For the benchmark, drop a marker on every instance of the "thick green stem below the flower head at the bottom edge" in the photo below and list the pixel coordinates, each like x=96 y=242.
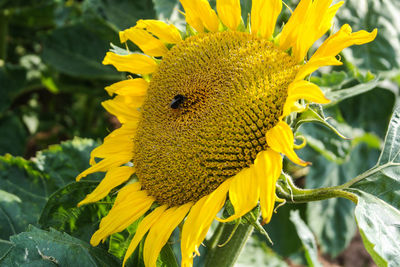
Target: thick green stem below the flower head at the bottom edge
x=227 y=255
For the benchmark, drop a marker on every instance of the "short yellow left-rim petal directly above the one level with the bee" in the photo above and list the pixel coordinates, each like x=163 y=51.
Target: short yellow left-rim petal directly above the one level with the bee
x=130 y=87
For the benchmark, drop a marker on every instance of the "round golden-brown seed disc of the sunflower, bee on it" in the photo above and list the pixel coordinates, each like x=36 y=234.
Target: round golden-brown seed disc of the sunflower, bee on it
x=207 y=110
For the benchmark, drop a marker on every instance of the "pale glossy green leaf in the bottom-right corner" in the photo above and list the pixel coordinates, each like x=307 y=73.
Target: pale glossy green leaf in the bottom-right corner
x=379 y=225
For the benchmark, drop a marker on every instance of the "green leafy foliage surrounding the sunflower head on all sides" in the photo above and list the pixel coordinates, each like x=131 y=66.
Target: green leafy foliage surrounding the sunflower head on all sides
x=51 y=86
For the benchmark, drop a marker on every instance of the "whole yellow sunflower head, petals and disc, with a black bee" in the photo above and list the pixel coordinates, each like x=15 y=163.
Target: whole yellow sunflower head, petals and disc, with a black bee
x=205 y=120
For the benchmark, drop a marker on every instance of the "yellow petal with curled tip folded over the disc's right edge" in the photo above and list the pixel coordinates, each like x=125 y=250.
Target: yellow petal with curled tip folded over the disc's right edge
x=280 y=139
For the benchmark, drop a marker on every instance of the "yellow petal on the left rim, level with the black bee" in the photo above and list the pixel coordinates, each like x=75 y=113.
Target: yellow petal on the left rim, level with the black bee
x=121 y=110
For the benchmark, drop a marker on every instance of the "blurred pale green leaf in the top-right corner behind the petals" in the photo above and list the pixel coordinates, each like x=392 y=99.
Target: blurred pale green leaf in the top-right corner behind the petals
x=383 y=52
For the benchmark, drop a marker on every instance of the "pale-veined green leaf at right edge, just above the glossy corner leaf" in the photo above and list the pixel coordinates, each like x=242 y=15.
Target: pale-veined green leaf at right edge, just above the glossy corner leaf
x=383 y=180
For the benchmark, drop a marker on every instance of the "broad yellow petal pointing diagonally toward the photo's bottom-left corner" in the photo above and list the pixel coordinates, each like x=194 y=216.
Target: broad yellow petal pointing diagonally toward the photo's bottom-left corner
x=129 y=206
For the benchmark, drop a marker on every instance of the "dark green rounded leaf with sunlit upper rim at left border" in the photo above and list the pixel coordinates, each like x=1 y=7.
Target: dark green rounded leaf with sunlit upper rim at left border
x=23 y=194
